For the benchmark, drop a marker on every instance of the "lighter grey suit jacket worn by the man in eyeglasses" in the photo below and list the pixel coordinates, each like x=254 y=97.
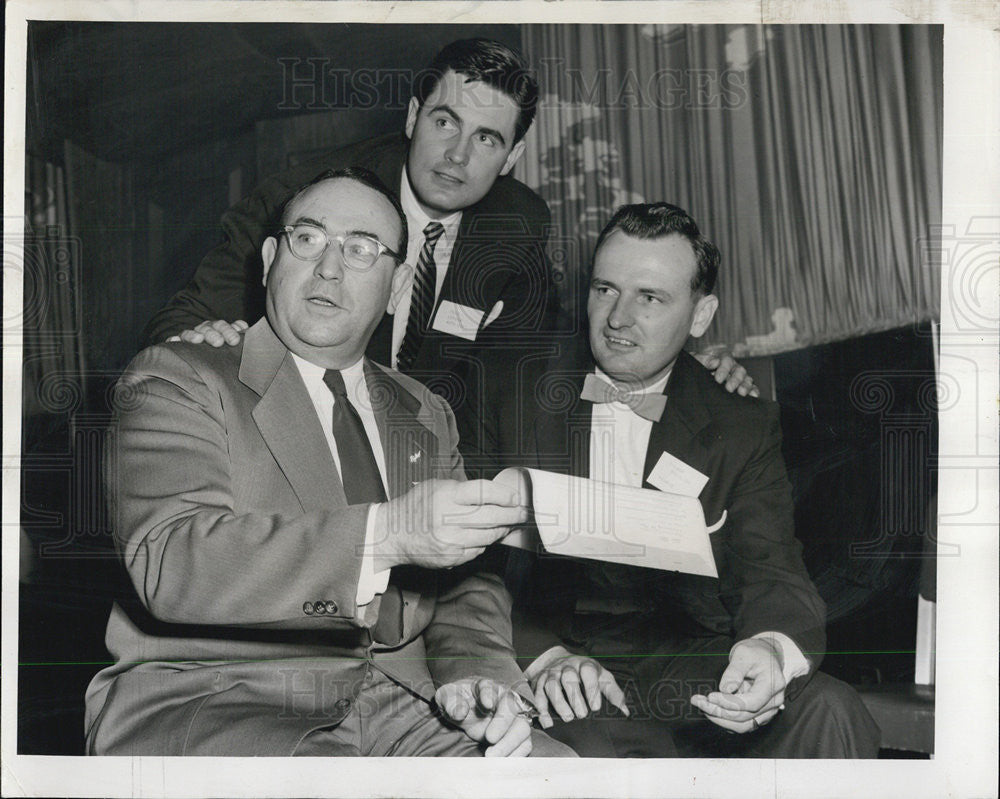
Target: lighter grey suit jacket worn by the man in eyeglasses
x=243 y=632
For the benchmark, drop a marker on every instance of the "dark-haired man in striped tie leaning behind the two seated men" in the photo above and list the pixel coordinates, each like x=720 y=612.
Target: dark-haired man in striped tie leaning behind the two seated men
x=482 y=287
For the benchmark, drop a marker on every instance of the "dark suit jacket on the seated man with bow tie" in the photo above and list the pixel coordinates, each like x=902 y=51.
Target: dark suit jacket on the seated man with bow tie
x=762 y=585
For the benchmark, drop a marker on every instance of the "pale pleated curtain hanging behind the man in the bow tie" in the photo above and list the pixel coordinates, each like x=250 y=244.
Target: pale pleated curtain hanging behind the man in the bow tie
x=810 y=154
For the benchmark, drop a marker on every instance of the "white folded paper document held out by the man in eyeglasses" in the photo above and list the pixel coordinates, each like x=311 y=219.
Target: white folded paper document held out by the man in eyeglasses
x=620 y=524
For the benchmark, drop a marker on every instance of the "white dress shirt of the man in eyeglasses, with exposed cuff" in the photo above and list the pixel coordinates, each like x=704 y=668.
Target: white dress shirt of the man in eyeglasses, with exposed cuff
x=370 y=583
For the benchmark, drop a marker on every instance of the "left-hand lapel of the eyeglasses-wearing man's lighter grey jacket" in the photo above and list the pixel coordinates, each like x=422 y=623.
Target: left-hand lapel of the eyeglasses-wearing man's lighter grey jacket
x=299 y=449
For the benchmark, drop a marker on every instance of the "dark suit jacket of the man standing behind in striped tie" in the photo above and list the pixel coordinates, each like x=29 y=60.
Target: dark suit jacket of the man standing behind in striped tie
x=499 y=255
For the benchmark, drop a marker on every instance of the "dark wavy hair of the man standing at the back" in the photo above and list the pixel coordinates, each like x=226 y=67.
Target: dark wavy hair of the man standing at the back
x=489 y=62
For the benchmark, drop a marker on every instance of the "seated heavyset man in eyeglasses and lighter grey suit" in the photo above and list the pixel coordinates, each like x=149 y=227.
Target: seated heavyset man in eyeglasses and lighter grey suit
x=286 y=510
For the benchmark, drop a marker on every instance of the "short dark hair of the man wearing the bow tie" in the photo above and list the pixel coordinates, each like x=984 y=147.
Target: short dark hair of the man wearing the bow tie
x=658 y=220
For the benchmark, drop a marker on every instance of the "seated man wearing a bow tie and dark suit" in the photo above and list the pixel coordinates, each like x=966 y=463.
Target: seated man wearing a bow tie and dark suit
x=673 y=656
